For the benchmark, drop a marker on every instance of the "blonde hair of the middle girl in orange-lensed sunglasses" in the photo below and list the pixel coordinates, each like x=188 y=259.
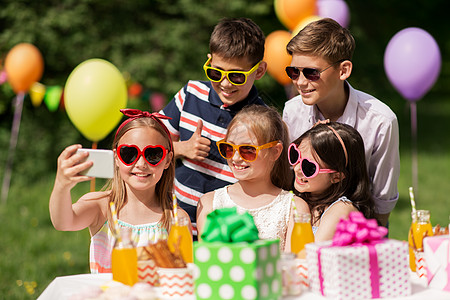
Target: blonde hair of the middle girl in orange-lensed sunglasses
x=266 y=124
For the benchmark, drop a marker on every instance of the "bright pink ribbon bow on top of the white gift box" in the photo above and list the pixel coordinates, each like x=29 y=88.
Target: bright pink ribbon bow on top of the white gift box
x=357 y=230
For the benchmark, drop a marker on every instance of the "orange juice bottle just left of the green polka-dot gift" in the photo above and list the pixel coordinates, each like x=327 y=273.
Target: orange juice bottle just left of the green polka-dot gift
x=180 y=237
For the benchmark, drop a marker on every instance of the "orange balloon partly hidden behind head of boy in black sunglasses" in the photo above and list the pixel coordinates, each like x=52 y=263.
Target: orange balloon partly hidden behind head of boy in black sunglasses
x=276 y=55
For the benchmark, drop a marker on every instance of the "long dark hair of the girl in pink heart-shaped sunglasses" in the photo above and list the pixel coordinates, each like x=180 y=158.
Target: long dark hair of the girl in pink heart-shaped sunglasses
x=327 y=148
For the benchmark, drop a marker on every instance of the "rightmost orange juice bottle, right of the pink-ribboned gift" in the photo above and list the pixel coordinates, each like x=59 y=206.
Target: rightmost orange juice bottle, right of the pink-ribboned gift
x=419 y=229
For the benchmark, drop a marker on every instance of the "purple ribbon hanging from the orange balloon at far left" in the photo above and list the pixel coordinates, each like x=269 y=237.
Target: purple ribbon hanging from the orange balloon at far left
x=12 y=144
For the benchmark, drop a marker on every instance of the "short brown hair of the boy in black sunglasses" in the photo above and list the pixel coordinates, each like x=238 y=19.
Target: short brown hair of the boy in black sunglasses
x=324 y=38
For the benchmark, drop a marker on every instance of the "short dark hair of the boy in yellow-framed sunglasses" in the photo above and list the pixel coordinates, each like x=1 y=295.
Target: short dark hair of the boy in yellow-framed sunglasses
x=238 y=38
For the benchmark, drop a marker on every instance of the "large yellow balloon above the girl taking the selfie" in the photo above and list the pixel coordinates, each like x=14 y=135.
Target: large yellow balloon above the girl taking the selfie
x=93 y=96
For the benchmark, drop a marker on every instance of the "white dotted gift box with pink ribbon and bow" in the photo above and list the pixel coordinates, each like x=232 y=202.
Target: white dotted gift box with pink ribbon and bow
x=359 y=263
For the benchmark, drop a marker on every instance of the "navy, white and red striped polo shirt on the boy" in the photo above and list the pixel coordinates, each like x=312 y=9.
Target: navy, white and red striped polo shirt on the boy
x=197 y=100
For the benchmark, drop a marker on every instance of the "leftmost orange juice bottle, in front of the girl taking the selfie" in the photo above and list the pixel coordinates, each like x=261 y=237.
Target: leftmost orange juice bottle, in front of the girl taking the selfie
x=124 y=259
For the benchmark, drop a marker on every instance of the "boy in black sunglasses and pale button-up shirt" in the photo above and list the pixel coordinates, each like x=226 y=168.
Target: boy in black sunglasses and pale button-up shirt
x=321 y=64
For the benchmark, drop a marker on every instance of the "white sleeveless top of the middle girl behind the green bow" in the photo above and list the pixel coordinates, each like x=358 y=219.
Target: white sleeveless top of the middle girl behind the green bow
x=271 y=220
